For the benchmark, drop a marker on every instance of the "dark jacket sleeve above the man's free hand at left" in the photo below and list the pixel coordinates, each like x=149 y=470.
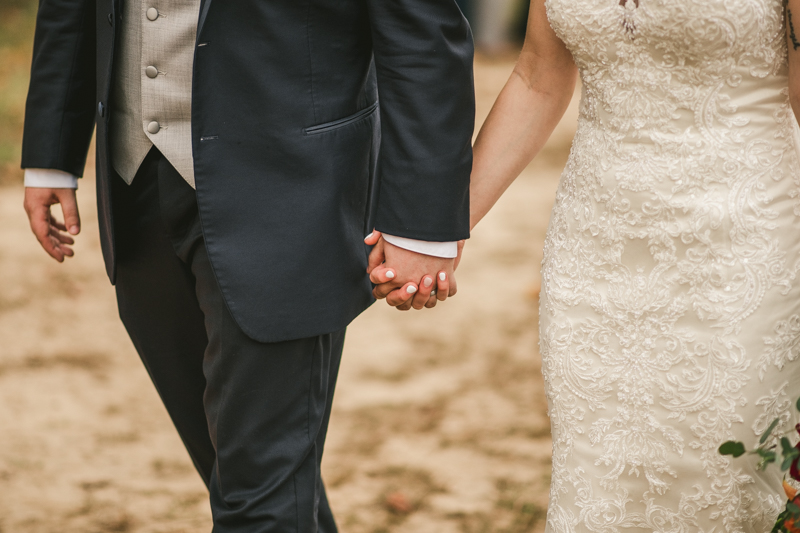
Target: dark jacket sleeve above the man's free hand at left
x=60 y=110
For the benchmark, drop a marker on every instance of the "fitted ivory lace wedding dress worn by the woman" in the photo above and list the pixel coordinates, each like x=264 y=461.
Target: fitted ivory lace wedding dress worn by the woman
x=670 y=305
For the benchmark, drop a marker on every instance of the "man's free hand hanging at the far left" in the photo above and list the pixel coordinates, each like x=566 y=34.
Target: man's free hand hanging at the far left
x=54 y=236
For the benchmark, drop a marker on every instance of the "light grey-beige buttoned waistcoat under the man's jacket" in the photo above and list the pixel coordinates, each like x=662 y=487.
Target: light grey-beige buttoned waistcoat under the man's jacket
x=152 y=103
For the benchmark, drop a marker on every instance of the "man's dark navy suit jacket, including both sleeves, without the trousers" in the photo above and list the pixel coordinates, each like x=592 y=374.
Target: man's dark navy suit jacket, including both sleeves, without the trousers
x=312 y=121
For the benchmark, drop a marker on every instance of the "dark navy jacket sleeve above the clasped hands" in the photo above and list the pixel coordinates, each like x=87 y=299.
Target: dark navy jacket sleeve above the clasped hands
x=423 y=57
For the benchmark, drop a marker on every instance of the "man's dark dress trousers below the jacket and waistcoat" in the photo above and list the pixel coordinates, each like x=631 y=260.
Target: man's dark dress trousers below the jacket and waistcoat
x=252 y=415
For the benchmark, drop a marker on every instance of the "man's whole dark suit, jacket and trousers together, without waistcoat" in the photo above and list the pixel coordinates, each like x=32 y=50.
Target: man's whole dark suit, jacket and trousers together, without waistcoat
x=313 y=120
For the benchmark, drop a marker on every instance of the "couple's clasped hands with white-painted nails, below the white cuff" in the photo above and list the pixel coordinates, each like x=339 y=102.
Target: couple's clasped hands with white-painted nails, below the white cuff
x=409 y=279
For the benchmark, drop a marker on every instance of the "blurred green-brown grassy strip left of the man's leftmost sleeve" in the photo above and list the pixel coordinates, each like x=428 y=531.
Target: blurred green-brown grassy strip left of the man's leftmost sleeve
x=17 y=21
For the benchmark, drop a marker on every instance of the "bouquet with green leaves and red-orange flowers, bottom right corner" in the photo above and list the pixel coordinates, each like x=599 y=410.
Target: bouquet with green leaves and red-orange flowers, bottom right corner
x=789 y=520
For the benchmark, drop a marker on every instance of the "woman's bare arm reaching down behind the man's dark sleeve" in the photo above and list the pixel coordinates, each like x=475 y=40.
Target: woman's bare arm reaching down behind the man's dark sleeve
x=526 y=112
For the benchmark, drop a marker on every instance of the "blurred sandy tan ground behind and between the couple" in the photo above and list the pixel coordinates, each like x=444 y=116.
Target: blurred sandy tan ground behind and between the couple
x=439 y=423
